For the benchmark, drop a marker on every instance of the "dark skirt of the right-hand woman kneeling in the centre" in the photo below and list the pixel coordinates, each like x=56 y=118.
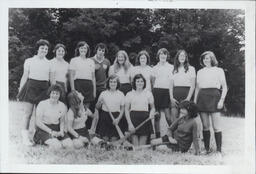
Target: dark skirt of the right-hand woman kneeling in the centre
x=138 y=117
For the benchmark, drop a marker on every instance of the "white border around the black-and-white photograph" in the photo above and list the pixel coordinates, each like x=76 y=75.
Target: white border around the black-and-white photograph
x=247 y=167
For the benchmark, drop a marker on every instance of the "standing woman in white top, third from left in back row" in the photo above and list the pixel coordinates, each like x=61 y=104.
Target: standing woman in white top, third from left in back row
x=82 y=73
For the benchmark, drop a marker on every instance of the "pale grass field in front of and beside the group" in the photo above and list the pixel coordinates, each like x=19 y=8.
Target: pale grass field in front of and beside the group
x=233 y=149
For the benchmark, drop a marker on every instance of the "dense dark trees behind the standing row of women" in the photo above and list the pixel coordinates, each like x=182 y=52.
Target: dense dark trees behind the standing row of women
x=198 y=30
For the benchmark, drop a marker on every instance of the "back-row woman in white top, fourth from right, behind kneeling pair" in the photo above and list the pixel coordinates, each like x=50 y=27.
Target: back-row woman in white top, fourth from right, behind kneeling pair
x=143 y=67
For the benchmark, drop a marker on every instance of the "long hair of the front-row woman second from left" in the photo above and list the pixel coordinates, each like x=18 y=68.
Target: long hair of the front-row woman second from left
x=74 y=102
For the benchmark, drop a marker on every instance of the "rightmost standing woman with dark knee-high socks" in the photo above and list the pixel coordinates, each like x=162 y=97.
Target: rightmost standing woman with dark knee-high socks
x=210 y=93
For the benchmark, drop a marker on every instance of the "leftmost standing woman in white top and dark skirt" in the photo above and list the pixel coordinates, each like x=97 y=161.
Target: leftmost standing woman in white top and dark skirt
x=34 y=83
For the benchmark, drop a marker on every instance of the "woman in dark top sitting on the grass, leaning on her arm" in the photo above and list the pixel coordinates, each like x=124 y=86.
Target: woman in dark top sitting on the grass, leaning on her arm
x=183 y=131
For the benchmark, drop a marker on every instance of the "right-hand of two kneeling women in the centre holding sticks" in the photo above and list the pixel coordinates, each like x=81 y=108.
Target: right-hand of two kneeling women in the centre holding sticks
x=137 y=104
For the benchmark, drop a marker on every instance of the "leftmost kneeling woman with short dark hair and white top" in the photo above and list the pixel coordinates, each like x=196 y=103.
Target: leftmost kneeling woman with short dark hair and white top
x=50 y=115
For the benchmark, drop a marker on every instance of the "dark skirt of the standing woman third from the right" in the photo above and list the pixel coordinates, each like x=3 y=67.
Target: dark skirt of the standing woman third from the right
x=161 y=98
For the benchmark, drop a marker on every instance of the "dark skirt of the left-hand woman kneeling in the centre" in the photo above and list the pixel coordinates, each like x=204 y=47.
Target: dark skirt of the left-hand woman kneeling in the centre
x=105 y=127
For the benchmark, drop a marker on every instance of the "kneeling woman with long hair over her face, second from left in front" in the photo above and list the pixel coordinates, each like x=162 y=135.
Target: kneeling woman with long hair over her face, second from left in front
x=76 y=118
